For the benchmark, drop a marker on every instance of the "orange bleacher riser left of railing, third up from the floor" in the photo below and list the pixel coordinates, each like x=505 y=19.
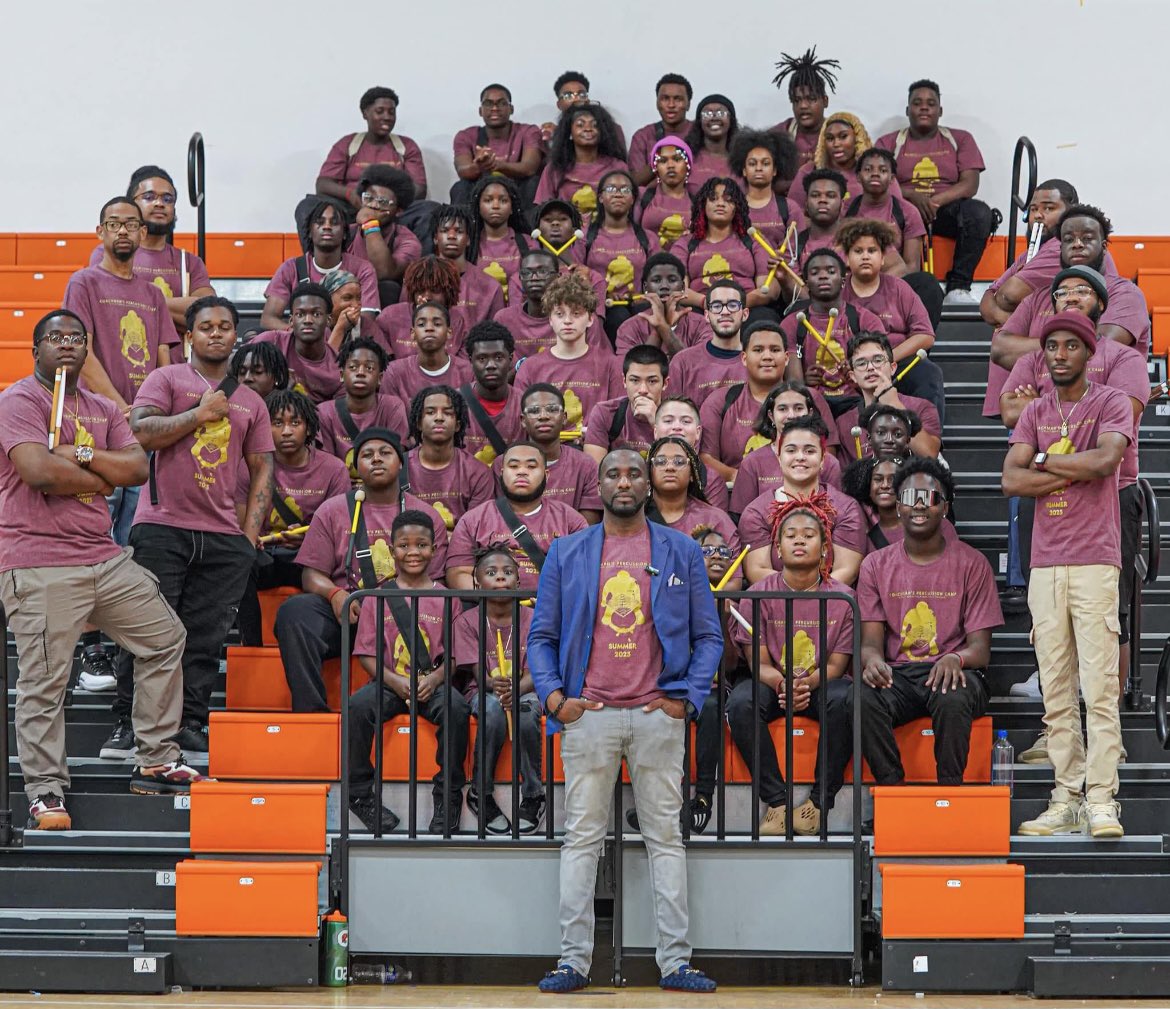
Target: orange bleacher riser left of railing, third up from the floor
x=276 y=746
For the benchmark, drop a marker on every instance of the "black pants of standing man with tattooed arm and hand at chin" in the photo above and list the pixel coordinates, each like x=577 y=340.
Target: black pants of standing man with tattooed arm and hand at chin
x=202 y=575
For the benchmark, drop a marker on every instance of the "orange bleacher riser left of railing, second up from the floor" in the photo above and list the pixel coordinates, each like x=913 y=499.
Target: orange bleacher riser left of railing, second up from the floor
x=258 y=818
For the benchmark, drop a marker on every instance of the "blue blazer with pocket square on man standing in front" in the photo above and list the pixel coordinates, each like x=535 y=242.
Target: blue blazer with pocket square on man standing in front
x=683 y=608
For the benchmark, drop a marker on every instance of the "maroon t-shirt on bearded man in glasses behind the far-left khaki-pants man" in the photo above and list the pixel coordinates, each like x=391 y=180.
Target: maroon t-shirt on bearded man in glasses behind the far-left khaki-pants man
x=128 y=321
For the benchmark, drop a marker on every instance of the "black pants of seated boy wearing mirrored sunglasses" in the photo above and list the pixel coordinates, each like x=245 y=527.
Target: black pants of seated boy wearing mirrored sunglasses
x=910 y=698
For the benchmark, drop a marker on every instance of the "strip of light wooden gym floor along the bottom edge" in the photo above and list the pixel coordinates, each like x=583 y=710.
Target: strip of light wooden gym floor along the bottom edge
x=418 y=997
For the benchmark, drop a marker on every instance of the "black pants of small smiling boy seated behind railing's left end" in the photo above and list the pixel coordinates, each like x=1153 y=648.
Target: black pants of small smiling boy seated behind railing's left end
x=364 y=724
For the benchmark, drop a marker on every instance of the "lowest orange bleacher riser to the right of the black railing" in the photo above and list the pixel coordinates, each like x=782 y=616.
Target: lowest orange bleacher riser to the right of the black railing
x=953 y=902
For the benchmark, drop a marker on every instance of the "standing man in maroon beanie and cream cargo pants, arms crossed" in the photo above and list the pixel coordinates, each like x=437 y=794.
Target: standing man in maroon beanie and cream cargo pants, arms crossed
x=1066 y=452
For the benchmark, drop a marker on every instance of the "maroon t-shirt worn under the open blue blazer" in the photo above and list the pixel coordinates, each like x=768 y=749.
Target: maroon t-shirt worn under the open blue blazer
x=625 y=660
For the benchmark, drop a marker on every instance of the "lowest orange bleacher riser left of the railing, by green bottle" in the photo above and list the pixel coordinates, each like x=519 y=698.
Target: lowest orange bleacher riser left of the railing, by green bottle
x=246 y=898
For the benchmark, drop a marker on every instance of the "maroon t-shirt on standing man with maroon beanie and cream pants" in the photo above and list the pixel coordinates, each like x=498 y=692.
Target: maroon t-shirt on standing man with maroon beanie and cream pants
x=1082 y=524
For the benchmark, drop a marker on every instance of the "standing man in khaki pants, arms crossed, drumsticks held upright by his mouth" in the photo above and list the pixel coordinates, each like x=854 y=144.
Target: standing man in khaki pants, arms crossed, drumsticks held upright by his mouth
x=60 y=569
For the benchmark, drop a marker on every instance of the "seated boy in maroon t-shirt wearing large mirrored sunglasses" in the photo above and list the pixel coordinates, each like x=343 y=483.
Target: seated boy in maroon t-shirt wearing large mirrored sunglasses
x=928 y=608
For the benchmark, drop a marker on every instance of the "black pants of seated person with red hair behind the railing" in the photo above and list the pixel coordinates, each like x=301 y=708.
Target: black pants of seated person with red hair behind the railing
x=836 y=730
